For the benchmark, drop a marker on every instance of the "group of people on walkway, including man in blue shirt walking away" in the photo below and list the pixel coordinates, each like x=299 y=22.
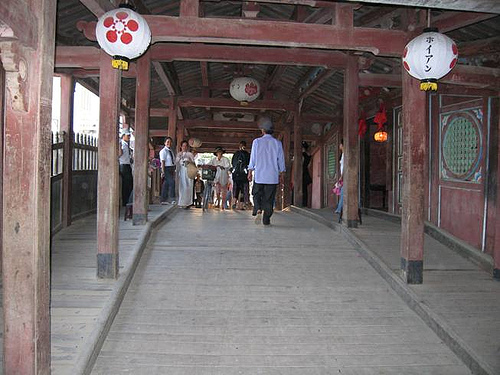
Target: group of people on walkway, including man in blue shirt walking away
x=264 y=166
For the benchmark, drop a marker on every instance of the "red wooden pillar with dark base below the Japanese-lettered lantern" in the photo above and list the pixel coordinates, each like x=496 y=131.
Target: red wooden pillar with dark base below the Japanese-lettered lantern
x=413 y=190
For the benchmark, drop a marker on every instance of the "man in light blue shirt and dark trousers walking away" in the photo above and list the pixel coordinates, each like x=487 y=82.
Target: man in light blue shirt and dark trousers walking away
x=268 y=162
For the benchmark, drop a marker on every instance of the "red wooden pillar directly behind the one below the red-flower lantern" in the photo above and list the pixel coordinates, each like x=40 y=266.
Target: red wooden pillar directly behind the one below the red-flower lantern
x=141 y=151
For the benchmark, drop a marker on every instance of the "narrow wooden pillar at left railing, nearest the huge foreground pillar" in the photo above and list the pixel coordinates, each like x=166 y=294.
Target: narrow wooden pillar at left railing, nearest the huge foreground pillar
x=67 y=105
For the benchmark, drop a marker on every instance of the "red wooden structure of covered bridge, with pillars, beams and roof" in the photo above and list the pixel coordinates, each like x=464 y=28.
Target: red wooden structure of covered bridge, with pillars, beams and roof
x=322 y=65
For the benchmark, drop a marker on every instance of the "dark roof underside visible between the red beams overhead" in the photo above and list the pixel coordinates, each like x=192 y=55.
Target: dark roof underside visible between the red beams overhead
x=316 y=89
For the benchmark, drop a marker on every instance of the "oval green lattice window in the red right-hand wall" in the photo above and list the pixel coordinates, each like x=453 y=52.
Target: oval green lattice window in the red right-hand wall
x=461 y=147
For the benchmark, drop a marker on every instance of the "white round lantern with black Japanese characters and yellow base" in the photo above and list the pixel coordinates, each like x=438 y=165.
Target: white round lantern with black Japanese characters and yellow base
x=429 y=57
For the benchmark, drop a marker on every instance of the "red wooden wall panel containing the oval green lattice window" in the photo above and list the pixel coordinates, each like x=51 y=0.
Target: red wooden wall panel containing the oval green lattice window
x=458 y=166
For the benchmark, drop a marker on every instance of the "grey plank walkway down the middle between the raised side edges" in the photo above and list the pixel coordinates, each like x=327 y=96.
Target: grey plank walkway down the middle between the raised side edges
x=216 y=294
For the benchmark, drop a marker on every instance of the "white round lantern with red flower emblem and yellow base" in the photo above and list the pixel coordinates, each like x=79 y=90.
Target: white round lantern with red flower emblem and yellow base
x=123 y=34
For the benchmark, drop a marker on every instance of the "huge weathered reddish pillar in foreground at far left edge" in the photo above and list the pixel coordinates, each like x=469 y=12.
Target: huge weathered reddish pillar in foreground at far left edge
x=26 y=186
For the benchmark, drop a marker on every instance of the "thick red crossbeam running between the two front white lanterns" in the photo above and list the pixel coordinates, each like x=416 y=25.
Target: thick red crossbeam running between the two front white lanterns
x=269 y=33
